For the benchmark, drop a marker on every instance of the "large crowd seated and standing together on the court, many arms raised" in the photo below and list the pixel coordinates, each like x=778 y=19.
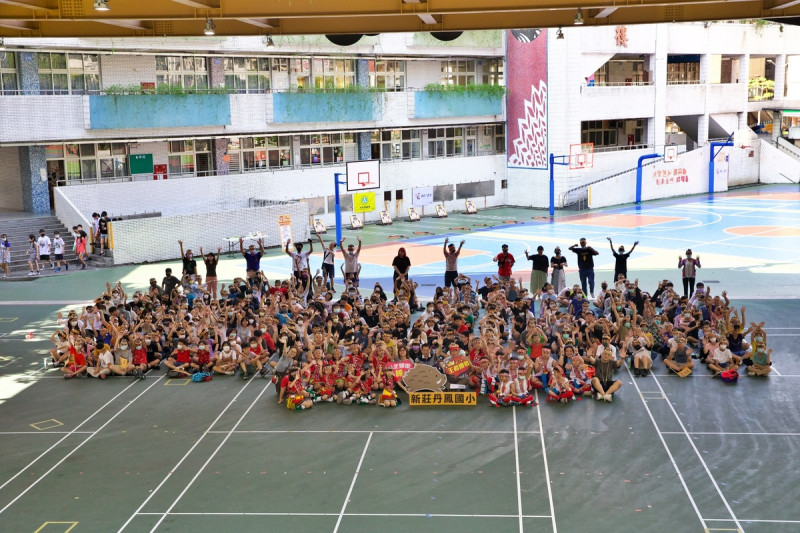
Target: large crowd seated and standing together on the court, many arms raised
x=352 y=347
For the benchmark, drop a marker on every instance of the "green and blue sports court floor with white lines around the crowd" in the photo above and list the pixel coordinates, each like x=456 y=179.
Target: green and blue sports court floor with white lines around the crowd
x=686 y=455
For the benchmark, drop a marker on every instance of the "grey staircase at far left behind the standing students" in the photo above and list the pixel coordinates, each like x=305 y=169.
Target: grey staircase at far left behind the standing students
x=18 y=229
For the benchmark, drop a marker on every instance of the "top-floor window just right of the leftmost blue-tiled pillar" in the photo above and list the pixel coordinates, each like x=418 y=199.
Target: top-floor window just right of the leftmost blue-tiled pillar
x=61 y=73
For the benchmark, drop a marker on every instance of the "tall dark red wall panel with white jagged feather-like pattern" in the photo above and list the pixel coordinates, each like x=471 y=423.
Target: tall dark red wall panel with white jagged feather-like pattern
x=526 y=104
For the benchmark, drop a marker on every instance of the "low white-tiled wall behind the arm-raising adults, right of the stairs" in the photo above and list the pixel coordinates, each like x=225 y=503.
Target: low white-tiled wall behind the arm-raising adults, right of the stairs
x=156 y=239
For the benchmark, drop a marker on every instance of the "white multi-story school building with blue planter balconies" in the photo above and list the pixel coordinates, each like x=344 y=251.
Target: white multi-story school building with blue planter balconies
x=276 y=122
